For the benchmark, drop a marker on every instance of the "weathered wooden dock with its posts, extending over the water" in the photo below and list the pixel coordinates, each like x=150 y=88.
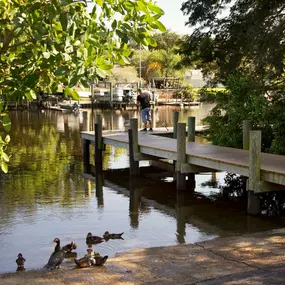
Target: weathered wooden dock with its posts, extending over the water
x=265 y=172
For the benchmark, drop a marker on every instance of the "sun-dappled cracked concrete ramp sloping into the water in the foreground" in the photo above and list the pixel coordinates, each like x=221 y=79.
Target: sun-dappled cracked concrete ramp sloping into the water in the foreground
x=250 y=259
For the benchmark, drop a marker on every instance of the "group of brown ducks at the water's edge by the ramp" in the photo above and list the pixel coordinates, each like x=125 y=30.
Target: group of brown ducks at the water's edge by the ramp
x=91 y=258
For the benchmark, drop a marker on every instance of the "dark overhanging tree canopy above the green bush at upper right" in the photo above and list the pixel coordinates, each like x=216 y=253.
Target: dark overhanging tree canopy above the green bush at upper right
x=241 y=35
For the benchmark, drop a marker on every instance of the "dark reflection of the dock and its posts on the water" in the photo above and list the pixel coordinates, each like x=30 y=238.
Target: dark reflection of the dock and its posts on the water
x=206 y=215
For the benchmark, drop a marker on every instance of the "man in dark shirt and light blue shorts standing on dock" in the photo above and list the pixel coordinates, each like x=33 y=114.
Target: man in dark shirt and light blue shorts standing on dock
x=143 y=100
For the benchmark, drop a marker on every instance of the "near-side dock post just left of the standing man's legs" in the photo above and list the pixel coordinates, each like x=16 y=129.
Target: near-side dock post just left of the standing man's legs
x=133 y=147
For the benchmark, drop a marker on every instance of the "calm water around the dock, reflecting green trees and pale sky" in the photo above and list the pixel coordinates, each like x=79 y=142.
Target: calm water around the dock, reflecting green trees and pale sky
x=45 y=195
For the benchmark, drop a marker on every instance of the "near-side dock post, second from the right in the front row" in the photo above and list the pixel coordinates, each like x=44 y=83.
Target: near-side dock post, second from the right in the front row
x=181 y=156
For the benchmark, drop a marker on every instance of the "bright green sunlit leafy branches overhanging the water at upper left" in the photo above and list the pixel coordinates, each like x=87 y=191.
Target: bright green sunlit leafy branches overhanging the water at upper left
x=45 y=43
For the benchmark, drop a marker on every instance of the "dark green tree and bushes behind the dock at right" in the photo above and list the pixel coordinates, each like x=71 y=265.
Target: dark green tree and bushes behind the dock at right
x=244 y=50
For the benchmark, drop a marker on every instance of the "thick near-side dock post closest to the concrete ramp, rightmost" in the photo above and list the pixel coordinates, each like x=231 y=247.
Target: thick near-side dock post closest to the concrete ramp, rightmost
x=253 y=202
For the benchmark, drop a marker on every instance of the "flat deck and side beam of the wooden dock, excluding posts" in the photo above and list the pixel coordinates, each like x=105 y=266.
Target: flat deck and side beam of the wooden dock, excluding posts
x=212 y=157
